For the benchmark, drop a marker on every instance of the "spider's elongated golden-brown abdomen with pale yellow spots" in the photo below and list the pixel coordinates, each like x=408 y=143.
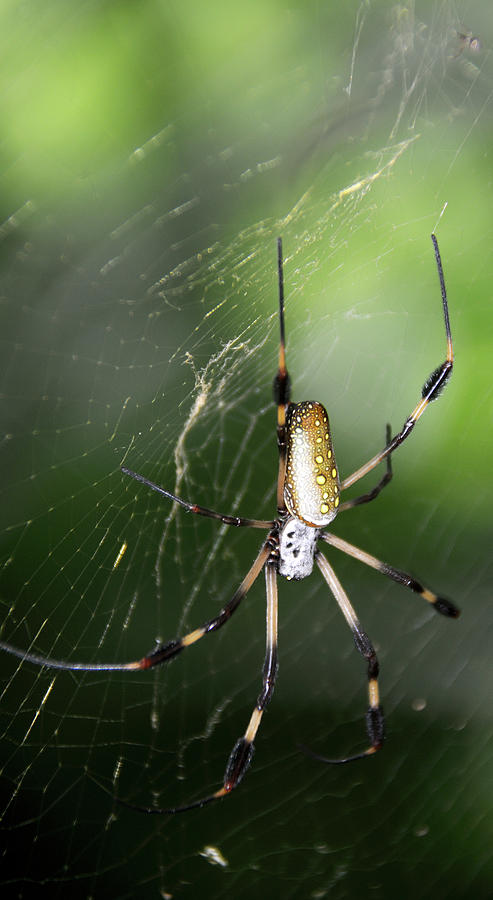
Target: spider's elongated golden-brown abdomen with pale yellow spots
x=311 y=486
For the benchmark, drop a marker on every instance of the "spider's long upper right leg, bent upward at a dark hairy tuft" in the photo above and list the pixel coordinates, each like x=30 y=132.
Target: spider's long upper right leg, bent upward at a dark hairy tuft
x=431 y=389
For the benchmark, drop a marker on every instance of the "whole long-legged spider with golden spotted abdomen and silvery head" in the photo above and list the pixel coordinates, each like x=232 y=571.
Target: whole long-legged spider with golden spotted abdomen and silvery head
x=308 y=500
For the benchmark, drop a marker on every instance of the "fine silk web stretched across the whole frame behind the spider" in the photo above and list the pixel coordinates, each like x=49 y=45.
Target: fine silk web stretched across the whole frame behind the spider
x=151 y=156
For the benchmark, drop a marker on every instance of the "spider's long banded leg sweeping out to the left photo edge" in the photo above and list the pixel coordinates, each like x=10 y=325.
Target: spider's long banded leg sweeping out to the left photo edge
x=164 y=652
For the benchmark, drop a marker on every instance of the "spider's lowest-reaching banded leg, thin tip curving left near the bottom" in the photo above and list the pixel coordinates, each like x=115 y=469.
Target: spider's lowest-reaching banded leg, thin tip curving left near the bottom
x=242 y=752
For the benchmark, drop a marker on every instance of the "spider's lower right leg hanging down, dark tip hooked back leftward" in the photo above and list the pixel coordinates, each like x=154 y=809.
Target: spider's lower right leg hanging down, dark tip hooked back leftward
x=374 y=715
